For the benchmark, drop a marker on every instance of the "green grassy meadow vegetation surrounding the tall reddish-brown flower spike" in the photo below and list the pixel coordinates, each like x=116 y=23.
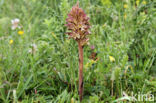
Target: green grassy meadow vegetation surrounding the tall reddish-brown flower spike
x=50 y=73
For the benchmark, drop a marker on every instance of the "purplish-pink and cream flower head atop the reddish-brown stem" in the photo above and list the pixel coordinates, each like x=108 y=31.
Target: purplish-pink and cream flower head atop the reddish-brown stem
x=78 y=24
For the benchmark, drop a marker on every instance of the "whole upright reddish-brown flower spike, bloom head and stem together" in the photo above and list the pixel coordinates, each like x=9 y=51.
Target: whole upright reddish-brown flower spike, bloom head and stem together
x=78 y=26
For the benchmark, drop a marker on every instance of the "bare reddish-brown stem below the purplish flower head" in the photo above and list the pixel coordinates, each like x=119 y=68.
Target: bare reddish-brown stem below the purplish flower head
x=80 y=70
